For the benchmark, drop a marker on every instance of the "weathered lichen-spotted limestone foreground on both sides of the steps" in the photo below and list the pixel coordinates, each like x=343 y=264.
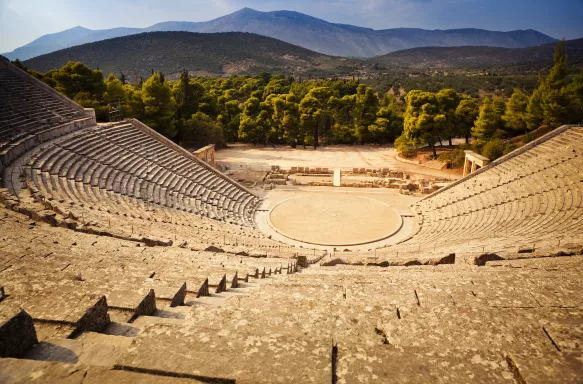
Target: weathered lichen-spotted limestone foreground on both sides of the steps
x=395 y=321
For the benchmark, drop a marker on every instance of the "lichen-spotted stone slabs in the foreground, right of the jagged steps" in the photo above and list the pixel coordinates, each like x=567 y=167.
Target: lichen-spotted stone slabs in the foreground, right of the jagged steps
x=422 y=317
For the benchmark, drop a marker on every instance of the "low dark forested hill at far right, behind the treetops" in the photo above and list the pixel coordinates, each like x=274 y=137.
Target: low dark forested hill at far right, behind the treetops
x=479 y=57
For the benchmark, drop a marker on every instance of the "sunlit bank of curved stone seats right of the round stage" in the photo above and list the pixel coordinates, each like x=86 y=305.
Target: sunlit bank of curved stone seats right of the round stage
x=543 y=198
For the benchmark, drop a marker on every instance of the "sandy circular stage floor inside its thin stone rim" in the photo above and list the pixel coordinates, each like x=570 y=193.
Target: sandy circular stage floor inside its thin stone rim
x=334 y=219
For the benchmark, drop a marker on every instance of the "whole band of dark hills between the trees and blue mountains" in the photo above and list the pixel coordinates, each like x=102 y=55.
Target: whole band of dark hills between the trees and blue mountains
x=236 y=53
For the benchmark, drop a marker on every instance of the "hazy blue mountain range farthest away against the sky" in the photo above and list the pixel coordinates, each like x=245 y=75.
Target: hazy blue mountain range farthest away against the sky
x=302 y=30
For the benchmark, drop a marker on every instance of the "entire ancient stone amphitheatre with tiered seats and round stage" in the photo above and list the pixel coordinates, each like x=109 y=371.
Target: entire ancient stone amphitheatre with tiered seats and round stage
x=125 y=258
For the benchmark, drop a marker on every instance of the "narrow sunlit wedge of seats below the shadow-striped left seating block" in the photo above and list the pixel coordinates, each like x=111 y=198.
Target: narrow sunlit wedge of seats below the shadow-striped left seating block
x=110 y=212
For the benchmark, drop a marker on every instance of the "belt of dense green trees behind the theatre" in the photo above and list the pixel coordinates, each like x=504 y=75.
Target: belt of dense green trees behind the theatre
x=267 y=109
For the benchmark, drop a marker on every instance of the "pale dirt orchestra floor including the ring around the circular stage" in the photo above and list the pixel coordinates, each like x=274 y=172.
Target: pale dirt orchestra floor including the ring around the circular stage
x=337 y=215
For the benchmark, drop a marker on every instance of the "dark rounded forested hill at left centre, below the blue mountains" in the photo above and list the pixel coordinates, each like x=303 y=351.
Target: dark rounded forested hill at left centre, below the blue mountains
x=199 y=53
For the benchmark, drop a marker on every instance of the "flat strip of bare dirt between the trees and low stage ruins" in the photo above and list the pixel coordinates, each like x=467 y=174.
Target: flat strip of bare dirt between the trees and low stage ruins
x=240 y=156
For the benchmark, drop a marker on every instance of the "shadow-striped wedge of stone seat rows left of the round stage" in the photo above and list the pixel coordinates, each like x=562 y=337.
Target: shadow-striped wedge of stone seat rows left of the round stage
x=94 y=156
